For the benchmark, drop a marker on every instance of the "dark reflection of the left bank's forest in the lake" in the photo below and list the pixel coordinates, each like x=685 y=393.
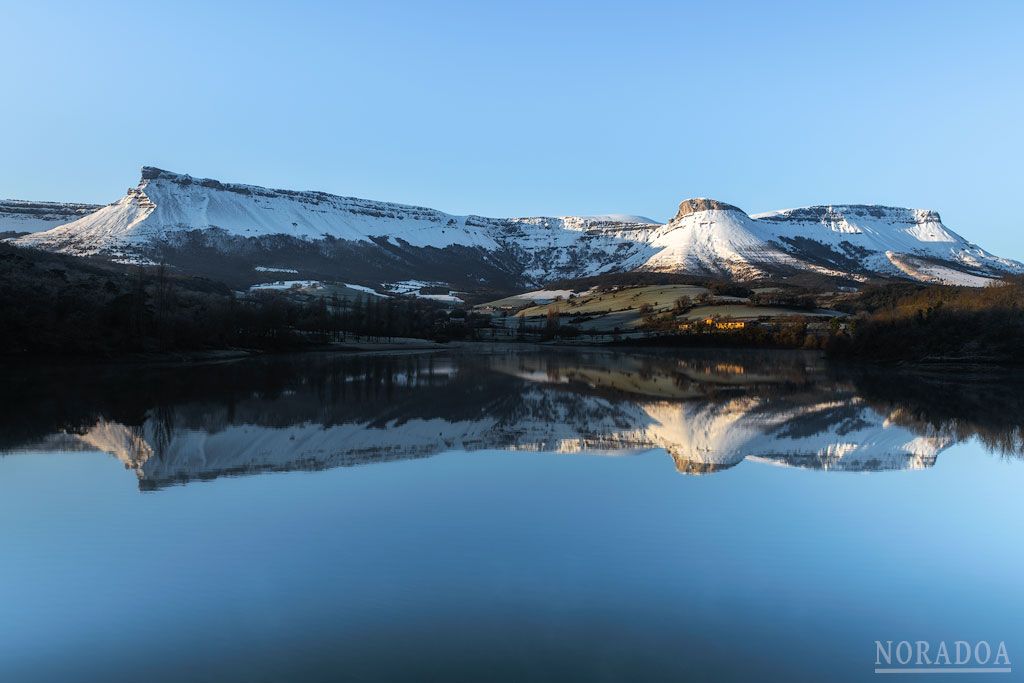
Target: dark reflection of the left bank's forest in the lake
x=278 y=392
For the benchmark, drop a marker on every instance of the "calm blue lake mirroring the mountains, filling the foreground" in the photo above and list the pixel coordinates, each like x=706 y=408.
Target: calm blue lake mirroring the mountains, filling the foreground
x=504 y=516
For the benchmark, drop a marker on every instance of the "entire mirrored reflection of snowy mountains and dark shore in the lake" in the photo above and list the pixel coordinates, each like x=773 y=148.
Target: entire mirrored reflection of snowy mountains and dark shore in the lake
x=709 y=411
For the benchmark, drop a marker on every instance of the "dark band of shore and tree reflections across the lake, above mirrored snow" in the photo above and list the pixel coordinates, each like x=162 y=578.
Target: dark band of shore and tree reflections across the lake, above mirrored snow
x=332 y=390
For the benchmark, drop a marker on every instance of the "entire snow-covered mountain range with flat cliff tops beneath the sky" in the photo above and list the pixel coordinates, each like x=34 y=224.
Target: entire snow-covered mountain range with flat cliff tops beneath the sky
x=230 y=231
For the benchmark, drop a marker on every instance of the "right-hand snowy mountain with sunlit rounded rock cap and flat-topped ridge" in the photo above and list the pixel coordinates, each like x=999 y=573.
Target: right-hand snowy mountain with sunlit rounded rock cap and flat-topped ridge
x=711 y=237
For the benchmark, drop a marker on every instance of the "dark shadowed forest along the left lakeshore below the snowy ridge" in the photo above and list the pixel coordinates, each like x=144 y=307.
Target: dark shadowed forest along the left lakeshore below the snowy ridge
x=56 y=305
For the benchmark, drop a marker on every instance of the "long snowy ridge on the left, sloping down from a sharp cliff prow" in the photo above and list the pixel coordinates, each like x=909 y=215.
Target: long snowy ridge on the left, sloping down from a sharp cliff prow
x=178 y=219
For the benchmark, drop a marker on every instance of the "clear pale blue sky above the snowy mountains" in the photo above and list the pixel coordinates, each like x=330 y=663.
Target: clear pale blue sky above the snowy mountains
x=523 y=108
